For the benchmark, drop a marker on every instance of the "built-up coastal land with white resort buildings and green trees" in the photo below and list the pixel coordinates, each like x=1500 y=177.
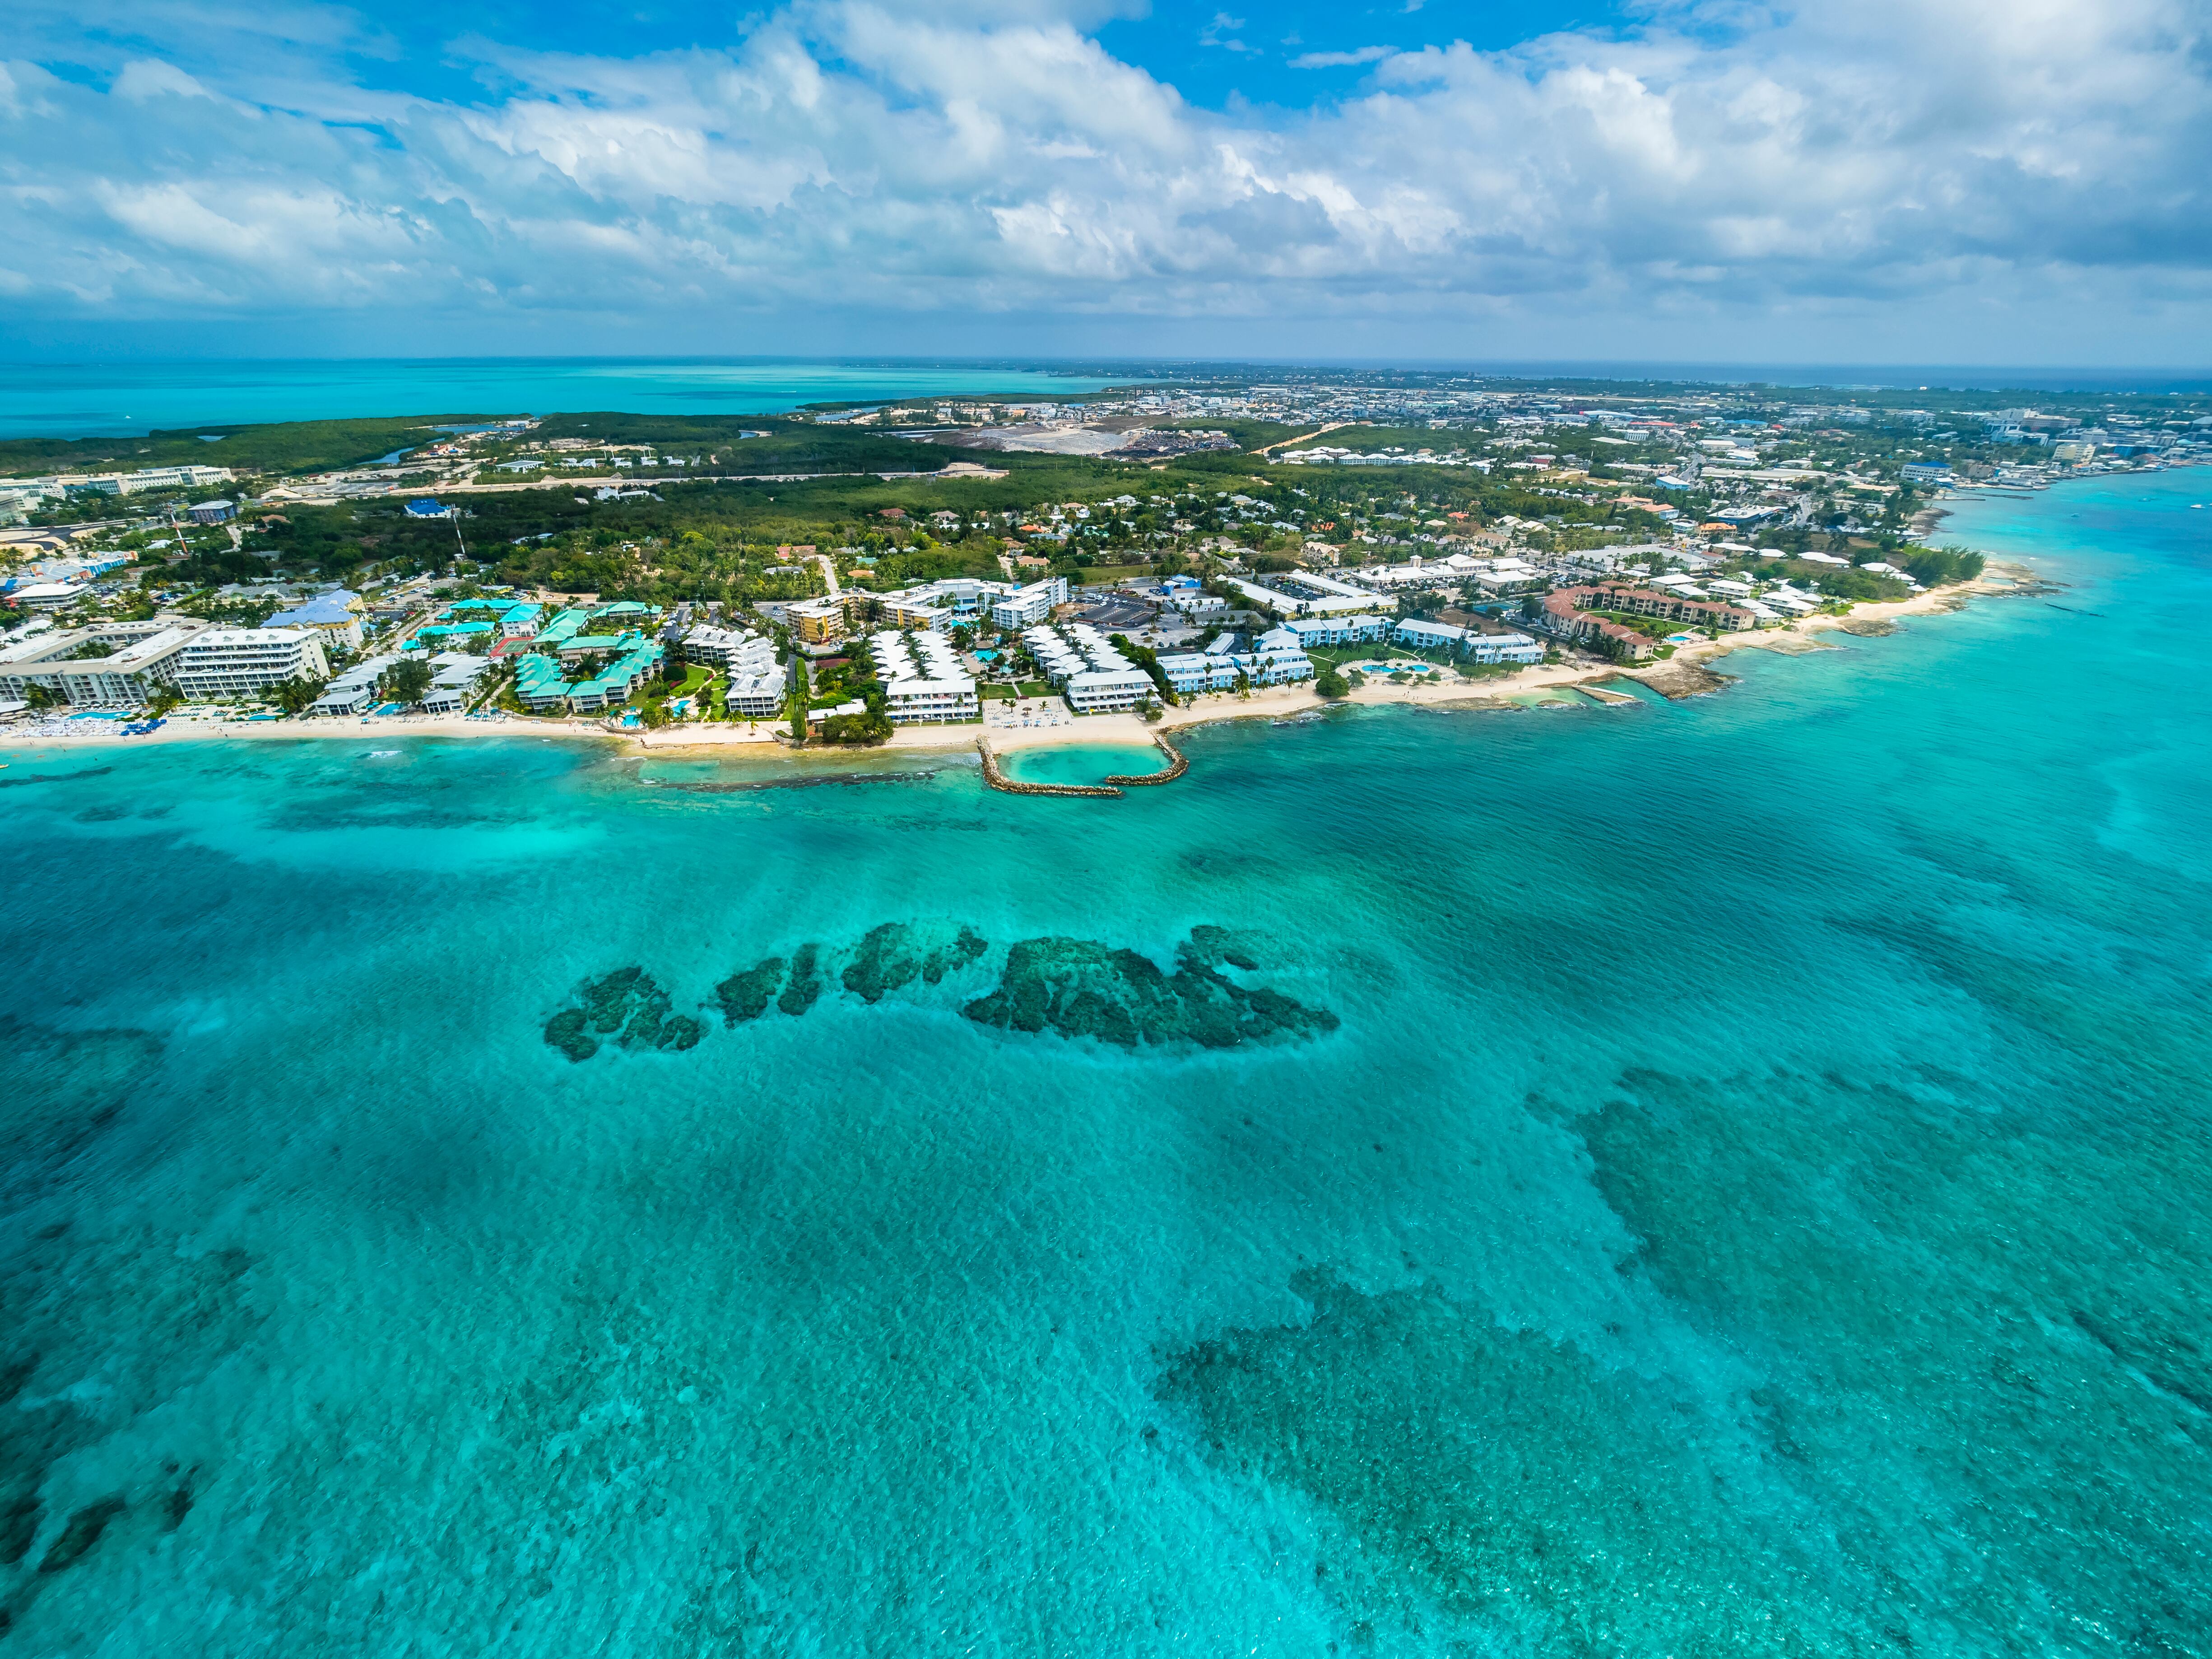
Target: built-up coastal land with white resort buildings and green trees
x=1151 y=556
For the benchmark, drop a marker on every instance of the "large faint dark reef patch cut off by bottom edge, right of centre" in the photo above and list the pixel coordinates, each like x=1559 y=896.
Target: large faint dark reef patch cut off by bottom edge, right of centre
x=1507 y=1485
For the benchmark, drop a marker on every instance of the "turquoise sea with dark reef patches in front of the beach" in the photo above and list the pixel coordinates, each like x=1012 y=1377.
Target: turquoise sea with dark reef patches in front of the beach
x=1673 y=1180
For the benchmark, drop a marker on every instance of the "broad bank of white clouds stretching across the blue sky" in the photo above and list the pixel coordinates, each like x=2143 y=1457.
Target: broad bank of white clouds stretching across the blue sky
x=1950 y=156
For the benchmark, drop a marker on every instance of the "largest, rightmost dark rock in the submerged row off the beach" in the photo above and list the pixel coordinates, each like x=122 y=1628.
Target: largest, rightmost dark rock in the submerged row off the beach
x=1089 y=990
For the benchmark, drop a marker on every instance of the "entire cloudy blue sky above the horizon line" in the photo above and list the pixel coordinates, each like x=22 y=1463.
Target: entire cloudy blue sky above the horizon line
x=2012 y=182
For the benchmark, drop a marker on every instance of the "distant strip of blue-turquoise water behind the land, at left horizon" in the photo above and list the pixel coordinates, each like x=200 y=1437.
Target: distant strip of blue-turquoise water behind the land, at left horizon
x=121 y=399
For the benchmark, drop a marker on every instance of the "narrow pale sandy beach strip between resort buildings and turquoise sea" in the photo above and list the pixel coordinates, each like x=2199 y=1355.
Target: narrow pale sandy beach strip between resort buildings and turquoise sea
x=1054 y=727
